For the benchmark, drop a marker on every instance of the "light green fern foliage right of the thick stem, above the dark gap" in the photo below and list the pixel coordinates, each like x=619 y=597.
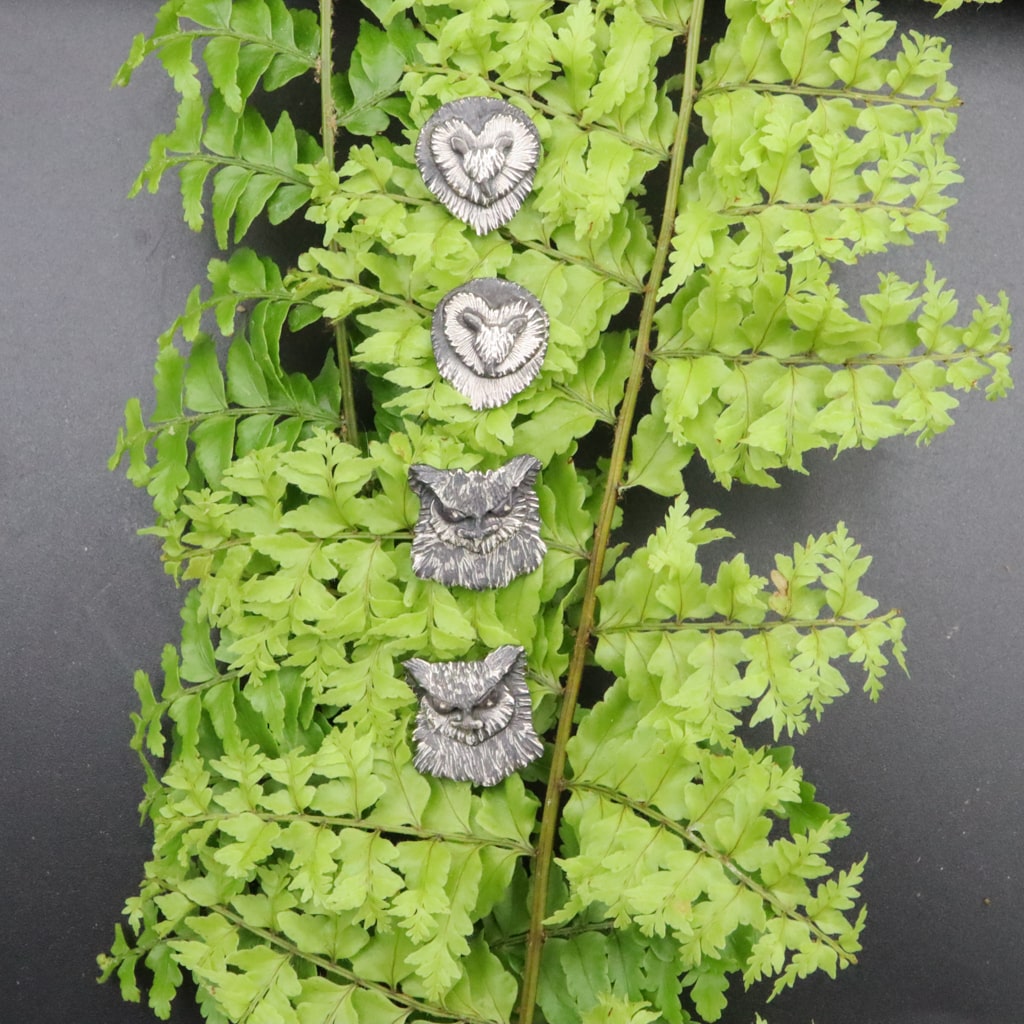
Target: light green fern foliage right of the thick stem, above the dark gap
x=760 y=358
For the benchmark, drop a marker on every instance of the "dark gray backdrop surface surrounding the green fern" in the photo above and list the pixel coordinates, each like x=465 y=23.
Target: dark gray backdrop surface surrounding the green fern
x=933 y=777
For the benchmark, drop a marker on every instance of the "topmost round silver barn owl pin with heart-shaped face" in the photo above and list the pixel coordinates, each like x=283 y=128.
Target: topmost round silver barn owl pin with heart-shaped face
x=479 y=157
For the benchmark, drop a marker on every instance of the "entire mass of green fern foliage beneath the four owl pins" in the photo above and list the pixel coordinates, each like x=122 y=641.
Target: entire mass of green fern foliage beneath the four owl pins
x=303 y=871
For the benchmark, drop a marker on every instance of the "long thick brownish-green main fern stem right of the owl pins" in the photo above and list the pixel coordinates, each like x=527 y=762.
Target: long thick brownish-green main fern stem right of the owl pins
x=624 y=430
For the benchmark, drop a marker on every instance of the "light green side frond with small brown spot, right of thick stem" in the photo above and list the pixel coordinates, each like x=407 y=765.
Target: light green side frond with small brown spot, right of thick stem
x=713 y=650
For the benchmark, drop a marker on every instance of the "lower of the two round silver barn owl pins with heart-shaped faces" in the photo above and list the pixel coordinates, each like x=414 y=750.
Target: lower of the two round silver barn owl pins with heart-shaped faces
x=490 y=337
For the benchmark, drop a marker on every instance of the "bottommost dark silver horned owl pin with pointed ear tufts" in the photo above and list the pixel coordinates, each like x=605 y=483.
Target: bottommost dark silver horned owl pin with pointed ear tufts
x=476 y=722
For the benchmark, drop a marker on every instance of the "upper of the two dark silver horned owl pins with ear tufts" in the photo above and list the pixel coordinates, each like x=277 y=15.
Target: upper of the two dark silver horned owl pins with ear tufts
x=478 y=530
